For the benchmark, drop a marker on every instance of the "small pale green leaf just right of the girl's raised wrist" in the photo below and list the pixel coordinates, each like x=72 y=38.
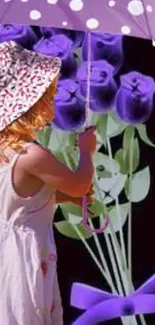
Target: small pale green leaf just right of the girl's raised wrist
x=109 y=164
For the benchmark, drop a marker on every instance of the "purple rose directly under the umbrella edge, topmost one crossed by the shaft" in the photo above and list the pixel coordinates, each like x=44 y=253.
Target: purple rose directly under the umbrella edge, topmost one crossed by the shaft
x=107 y=47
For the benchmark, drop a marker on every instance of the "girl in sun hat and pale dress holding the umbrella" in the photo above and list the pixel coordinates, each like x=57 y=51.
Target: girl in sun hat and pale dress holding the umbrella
x=32 y=180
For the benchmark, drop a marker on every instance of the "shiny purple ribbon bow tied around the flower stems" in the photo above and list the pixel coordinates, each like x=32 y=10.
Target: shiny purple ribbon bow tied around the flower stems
x=101 y=306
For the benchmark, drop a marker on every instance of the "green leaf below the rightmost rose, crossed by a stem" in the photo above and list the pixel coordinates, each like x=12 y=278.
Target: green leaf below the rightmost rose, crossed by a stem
x=122 y=156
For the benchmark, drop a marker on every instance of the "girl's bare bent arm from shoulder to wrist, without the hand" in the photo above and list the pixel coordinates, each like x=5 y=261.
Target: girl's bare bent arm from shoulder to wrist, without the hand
x=44 y=165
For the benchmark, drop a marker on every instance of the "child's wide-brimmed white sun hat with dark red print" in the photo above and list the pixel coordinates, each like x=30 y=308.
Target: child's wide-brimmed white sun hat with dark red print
x=24 y=78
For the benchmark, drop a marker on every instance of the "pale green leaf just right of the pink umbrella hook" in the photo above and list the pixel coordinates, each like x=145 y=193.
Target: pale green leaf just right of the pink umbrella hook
x=123 y=209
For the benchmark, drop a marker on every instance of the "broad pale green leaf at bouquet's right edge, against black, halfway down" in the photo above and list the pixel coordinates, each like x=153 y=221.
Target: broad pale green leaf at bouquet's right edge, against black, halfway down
x=140 y=185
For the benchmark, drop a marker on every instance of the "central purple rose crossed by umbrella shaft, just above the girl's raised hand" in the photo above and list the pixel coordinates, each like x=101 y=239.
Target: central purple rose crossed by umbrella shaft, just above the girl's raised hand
x=103 y=87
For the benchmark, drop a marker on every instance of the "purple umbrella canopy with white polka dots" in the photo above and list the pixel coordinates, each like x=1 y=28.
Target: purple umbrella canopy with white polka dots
x=129 y=17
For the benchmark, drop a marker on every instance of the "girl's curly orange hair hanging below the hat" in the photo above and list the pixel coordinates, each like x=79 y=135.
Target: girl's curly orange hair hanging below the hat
x=24 y=129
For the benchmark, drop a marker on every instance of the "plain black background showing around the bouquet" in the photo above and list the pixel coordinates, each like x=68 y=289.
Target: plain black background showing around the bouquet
x=74 y=263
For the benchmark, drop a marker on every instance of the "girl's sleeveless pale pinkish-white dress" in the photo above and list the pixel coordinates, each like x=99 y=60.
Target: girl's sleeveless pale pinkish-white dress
x=29 y=291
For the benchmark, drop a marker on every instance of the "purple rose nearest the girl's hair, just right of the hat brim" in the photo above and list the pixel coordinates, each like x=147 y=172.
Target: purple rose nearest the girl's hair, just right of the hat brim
x=70 y=107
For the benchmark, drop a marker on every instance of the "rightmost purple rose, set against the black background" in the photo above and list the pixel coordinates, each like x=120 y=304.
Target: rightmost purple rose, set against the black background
x=134 y=100
